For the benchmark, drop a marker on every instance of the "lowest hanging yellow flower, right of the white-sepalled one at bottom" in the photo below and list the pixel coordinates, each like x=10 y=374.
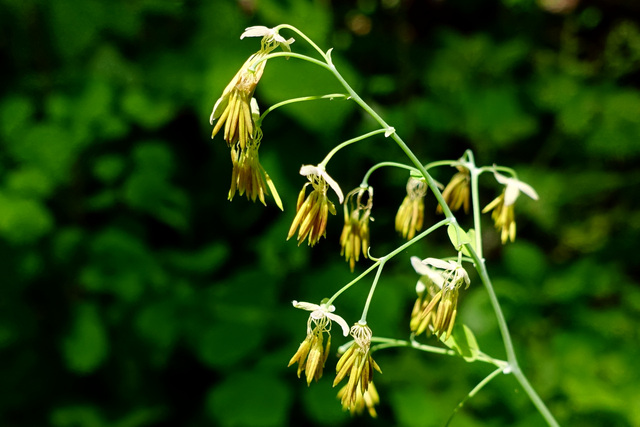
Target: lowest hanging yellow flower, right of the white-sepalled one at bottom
x=358 y=364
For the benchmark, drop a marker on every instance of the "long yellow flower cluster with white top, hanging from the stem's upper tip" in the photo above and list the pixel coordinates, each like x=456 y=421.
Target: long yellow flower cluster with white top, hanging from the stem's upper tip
x=237 y=111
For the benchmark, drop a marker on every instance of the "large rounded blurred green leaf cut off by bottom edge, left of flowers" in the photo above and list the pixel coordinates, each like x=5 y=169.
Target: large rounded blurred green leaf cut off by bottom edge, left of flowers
x=249 y=399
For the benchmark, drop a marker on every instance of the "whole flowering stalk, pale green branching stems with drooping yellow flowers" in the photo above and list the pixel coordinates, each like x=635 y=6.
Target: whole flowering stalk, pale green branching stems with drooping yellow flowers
x=436 y=312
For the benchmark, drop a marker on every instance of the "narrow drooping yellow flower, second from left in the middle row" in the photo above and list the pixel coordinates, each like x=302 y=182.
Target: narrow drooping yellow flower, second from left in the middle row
x=355 y=233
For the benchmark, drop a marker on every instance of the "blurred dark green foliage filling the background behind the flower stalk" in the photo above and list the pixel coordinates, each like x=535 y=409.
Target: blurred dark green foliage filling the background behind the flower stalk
x=135 y=295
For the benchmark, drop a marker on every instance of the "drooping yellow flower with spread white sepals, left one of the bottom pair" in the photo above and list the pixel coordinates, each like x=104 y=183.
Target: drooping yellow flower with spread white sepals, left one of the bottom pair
x=312 y=355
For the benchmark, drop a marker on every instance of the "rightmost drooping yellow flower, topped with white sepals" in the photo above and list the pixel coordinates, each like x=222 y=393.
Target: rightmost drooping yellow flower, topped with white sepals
x=502 y=207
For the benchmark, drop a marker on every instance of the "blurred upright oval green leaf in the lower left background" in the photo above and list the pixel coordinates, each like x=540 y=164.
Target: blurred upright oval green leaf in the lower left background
x=86 y=345
